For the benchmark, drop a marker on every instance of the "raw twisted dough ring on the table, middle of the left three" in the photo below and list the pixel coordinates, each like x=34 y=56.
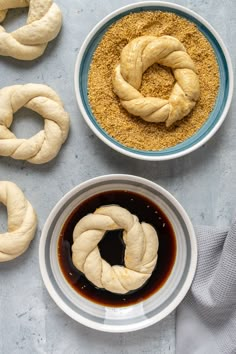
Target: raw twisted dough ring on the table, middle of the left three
x=45 y=145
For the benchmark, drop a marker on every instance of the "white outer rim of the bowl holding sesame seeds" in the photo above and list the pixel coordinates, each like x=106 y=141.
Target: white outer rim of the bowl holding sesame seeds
x=144 y=156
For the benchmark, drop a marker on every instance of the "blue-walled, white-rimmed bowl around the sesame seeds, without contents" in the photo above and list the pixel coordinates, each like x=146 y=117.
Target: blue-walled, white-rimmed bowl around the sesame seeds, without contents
x=223 y=100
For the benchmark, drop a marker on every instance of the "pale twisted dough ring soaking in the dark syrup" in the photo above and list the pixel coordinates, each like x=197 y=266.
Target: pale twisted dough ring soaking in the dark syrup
x=140 y=253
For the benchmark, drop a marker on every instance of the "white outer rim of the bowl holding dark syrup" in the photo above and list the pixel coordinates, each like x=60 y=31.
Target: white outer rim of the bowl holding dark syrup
x=149 y=321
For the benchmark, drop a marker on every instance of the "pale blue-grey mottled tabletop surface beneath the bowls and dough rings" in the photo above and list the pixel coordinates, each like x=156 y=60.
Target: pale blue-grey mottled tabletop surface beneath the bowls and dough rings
x=204 y=182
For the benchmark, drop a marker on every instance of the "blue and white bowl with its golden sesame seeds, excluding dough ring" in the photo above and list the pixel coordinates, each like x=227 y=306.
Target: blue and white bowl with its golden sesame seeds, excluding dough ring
x=101 y=107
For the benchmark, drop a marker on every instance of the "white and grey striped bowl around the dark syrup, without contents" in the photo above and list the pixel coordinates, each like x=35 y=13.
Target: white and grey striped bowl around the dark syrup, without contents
x=132 y=317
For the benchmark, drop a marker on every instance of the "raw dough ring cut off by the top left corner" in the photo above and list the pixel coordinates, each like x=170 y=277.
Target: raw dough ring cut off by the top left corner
x=29 y=42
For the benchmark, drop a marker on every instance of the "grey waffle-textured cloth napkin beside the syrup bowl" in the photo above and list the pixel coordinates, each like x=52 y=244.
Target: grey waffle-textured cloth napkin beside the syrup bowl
x=206 y=319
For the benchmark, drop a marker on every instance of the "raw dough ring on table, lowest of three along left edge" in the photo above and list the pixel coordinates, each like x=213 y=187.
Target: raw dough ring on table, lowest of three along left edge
x=22 y=222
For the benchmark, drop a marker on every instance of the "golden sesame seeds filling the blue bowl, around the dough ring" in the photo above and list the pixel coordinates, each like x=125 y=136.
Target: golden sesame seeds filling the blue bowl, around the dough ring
x=158 y=81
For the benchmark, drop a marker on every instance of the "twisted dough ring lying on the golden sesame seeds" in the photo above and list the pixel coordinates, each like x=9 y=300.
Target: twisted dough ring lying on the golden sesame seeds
x=136 y=57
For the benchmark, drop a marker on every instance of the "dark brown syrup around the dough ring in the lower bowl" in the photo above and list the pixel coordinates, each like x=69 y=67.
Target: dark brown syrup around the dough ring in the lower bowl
x=112 y=248
